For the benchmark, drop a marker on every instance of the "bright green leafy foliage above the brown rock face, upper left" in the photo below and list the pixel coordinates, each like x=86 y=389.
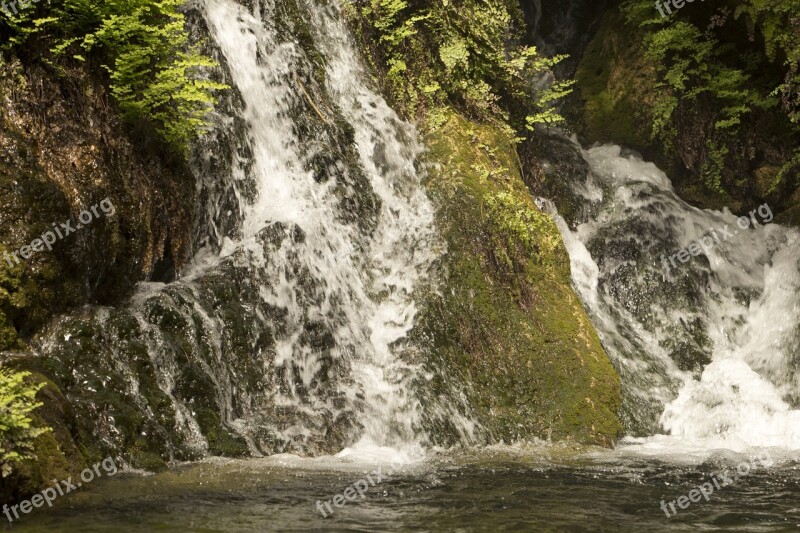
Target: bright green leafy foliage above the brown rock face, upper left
x=143 y=44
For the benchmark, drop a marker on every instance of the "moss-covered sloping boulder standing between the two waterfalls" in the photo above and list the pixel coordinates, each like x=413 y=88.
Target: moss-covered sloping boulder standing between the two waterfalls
x=507 y=328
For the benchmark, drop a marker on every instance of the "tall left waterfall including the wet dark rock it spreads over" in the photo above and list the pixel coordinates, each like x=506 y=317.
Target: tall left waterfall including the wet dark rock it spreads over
x=284 y=330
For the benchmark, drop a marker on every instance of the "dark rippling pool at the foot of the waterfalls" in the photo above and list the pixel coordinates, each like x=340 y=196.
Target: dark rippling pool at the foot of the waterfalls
x=523 y=488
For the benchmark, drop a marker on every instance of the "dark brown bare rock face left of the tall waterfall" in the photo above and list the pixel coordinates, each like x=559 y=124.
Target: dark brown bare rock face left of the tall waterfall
x=62 y=151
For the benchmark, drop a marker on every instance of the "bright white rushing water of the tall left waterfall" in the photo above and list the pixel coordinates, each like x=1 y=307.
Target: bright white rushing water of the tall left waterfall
x=365 y=283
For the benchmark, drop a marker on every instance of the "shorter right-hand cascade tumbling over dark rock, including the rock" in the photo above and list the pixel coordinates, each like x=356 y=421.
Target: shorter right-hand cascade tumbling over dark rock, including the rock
x=707 y=349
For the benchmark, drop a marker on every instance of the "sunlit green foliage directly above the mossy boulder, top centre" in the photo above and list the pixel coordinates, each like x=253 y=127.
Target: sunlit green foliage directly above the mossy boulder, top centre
x=457 y=52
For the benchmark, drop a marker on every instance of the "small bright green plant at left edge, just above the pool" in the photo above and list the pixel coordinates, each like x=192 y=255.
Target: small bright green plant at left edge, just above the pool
x=17 y=401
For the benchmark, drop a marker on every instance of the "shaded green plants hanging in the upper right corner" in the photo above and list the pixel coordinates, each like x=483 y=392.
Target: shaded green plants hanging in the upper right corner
x=702 y=61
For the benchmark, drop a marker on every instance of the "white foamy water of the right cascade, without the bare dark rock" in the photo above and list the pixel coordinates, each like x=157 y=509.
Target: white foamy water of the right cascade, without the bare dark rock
x=746 y=398
